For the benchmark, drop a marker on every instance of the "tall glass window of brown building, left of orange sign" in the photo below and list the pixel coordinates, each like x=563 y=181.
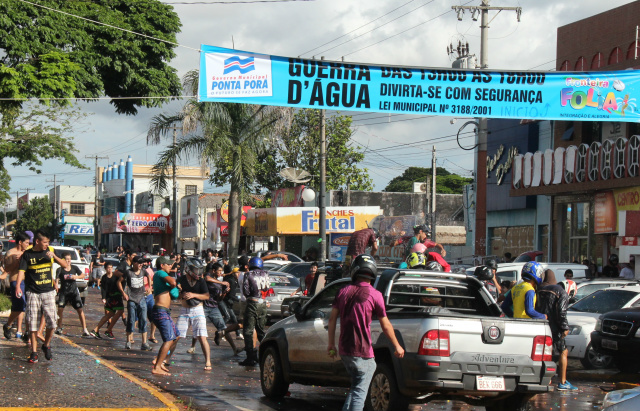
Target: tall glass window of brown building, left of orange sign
x=577 y=236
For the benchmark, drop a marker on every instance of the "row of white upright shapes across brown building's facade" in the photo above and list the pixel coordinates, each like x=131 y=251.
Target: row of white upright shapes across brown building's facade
x=618 y=158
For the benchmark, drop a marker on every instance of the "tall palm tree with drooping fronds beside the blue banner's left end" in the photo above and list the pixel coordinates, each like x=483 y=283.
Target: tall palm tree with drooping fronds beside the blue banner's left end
x=228 y=137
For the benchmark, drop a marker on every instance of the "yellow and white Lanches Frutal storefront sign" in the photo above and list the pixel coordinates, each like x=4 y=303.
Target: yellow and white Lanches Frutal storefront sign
x=305 y=220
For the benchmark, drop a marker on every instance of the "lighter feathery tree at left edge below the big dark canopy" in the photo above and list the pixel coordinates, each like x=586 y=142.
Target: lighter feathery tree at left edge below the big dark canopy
x=39 y=132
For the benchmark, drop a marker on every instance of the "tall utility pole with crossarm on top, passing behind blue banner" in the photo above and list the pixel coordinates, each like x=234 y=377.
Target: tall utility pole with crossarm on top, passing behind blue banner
x=481 y=175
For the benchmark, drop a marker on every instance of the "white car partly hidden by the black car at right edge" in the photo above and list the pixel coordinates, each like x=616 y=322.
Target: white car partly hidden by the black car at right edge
x=584 y=314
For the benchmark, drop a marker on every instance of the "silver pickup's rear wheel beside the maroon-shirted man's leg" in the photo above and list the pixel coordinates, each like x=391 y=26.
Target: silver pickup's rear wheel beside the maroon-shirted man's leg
x=383 y=391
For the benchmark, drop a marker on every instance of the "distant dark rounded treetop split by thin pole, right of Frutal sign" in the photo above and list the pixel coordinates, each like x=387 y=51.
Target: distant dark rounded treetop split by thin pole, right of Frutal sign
x=446 y=182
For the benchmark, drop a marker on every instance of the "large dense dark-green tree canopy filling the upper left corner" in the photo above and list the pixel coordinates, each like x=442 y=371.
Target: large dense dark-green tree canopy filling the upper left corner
x=48 y=54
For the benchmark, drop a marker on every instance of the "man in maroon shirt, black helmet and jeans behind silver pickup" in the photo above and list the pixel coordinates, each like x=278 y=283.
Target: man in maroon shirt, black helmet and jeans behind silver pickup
x=355 y=304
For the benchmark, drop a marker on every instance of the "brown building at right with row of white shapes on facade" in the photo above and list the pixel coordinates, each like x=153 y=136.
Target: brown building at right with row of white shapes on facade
x=592 y=171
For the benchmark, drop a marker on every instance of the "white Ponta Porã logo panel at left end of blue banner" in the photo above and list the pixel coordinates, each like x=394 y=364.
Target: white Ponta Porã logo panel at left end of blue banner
x=238 y=75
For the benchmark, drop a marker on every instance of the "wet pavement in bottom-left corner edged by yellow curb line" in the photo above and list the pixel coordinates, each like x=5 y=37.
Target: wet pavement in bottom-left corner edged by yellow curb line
x=74 y=379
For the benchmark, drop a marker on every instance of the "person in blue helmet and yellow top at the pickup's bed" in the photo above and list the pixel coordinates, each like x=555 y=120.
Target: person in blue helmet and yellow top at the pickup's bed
x=522 y=297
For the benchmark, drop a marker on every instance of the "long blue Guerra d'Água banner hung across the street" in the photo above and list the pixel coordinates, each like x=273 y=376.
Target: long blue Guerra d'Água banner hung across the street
x=243 y=77
